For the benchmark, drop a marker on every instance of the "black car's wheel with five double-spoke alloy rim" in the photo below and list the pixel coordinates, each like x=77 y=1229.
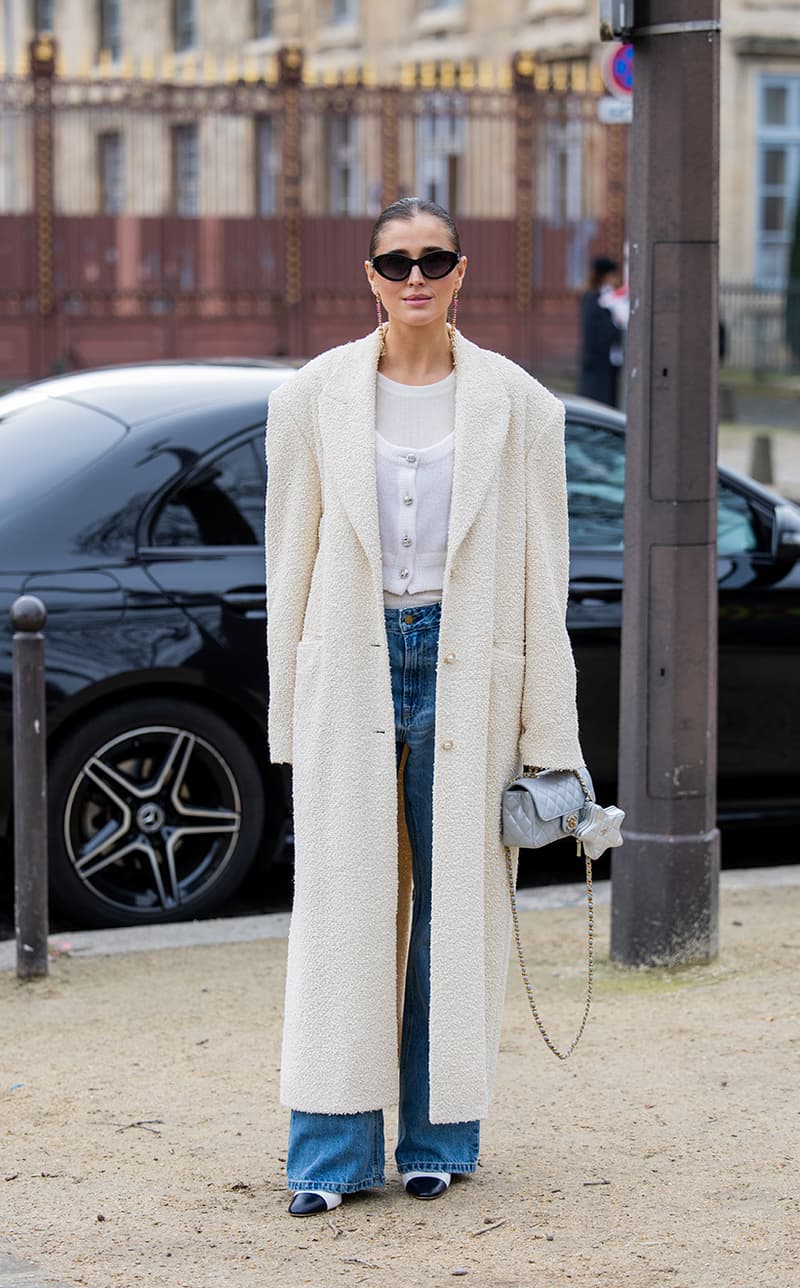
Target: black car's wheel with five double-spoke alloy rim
x=157 y=815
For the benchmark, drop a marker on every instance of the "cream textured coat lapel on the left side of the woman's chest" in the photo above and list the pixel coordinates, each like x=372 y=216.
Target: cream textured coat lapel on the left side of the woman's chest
x=347 y=427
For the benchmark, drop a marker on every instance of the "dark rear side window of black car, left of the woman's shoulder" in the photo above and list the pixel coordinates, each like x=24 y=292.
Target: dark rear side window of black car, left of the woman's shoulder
x=222 y=504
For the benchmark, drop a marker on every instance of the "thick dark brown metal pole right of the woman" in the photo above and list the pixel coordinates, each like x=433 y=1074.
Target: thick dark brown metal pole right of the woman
x=667 y=876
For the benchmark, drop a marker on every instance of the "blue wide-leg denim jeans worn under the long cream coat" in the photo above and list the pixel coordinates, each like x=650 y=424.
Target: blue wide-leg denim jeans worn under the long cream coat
x=345 y=1153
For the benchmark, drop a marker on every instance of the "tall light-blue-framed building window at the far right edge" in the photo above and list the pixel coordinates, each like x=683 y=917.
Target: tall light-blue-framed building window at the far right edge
x=779 y=176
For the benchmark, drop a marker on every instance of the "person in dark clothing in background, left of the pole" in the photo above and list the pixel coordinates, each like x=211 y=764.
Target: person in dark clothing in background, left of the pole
x=604 y=312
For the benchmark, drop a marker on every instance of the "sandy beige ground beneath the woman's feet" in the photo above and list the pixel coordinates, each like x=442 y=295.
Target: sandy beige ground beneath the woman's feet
x=142 y=1142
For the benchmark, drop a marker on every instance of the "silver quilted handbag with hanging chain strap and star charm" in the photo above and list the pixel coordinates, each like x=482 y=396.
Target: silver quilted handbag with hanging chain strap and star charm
x=544 y=806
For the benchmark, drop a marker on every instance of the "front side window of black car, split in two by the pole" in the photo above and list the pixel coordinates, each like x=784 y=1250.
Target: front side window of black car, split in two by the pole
x=596 y=488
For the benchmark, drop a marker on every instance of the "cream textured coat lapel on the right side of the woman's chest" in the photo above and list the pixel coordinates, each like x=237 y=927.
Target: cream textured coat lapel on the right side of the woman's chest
x=482 y=423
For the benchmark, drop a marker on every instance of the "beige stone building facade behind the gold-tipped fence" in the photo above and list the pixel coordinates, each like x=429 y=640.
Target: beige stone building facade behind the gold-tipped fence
x=381 y=41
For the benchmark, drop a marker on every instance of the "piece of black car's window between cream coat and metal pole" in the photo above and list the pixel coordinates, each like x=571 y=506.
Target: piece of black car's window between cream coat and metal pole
x=596 y=486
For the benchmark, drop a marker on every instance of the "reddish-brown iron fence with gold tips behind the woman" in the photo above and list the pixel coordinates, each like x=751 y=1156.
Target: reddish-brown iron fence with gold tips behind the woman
x=145 y=218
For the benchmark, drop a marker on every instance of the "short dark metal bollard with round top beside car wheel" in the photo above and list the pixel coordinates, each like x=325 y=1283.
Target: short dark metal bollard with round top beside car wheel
x=28 y=616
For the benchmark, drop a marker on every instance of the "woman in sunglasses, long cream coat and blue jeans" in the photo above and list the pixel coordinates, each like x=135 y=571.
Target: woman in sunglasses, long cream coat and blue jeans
x=417 y=536
